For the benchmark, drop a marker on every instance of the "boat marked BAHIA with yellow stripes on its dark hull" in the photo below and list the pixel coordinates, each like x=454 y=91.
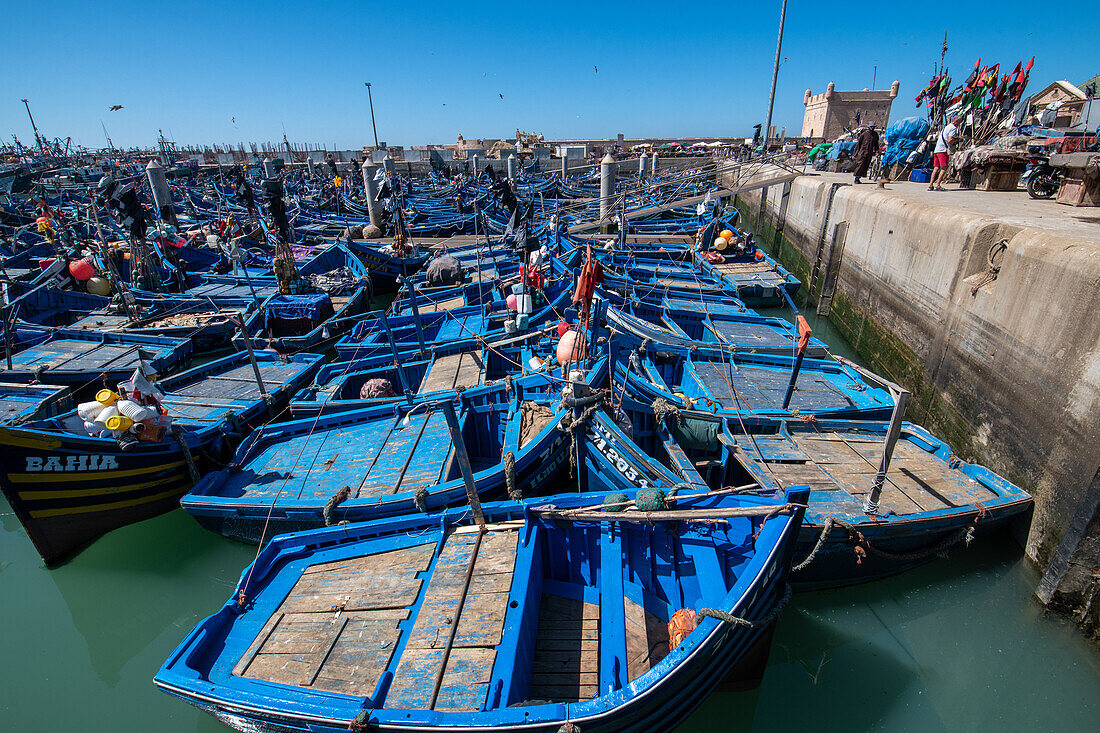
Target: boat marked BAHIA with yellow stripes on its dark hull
x=69 y=488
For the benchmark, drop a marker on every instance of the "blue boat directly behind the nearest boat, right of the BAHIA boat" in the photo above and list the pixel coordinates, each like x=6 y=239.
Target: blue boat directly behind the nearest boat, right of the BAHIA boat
x=389 y=458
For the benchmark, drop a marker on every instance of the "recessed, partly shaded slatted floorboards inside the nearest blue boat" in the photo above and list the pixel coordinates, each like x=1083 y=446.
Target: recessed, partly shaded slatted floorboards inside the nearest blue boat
x=567 y=651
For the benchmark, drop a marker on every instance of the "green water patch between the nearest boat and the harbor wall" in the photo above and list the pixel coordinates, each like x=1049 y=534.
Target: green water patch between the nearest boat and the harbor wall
x=959 y=644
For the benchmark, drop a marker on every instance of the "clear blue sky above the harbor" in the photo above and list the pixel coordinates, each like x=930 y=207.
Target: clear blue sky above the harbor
x=438 y=69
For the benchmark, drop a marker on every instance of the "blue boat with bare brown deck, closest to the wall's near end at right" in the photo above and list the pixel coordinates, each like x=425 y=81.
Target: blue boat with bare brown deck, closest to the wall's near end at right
x=876 y=508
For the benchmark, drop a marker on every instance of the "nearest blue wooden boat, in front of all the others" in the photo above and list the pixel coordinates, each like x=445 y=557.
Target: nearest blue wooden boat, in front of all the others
x=552 y=616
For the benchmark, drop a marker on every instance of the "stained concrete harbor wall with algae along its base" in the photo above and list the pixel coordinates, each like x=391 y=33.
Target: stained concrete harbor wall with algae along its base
x=1008 y=374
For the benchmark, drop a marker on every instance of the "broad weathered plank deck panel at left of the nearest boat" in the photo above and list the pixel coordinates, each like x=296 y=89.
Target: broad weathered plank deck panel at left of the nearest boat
x=337 y=630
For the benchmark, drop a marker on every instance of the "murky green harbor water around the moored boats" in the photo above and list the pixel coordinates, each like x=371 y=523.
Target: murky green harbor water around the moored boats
x=956 y=646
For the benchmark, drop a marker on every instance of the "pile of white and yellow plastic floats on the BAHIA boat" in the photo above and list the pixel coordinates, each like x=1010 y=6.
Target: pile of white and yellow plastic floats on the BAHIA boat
x=131 y=415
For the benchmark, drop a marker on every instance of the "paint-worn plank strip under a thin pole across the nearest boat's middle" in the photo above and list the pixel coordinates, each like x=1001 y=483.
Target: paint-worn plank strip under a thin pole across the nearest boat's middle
x=479 y=627
